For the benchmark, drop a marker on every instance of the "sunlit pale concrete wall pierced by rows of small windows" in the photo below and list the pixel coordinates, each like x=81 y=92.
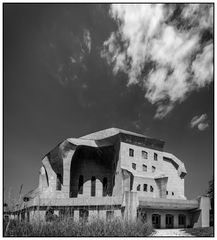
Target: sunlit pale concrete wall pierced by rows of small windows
x=175 y=184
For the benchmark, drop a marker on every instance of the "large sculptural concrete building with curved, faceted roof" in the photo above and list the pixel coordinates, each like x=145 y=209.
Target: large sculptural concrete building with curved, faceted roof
x=114 y=173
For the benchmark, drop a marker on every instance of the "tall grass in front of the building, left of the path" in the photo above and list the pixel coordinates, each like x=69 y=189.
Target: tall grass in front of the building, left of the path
x=67 y=227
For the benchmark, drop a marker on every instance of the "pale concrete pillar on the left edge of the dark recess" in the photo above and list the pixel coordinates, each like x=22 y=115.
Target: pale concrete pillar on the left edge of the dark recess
x=66 y=173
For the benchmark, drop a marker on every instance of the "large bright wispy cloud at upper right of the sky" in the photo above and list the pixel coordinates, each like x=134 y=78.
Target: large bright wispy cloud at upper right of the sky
x=167 y=49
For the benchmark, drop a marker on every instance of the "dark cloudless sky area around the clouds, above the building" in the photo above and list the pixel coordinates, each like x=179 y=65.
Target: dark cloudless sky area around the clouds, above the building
x=57 y=86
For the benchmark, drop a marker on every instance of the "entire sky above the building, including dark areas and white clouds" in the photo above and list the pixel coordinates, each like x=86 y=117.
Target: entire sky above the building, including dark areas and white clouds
x=72 y=69
